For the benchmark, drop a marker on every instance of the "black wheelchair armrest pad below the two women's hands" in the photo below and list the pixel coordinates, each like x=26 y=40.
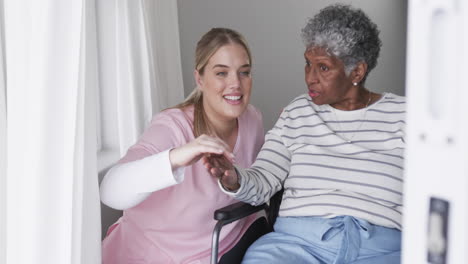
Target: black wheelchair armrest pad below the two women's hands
x=237 y=211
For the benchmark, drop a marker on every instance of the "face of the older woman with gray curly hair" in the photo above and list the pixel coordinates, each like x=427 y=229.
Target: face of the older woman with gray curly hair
x=325 y=77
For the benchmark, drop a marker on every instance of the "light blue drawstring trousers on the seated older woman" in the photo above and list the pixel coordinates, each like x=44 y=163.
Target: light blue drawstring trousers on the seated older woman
x=315 y=240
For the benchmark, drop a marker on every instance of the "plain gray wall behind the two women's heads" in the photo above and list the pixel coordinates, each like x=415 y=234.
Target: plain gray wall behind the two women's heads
x=272 y=28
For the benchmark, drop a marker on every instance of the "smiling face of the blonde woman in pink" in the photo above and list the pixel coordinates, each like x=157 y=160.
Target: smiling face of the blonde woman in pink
x=226 y=83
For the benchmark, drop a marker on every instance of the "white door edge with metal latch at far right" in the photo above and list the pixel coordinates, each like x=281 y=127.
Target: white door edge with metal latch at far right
x=437 y=133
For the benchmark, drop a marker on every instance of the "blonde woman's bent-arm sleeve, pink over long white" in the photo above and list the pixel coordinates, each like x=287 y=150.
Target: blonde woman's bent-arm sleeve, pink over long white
x=133 y=179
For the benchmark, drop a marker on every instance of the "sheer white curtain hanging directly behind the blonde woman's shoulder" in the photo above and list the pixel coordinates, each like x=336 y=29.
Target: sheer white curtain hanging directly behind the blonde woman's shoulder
x=148 y=64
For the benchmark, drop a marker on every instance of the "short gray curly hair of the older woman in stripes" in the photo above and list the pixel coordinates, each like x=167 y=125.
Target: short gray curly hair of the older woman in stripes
x=346 y=33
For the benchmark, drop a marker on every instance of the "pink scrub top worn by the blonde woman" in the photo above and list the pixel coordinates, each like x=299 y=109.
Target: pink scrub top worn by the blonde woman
x=175 y=224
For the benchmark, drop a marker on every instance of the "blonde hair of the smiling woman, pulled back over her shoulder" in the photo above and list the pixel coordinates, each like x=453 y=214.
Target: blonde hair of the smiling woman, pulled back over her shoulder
x=206 y=47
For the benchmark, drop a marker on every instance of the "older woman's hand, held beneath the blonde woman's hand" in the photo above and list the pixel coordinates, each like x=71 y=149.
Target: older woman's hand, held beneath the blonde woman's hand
x=223 y=169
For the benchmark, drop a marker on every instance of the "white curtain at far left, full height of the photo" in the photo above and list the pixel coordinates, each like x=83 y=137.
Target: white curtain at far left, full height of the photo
x=52 y=213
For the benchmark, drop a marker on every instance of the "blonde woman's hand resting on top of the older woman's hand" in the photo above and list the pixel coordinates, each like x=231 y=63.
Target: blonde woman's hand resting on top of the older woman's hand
x=191 y=152
